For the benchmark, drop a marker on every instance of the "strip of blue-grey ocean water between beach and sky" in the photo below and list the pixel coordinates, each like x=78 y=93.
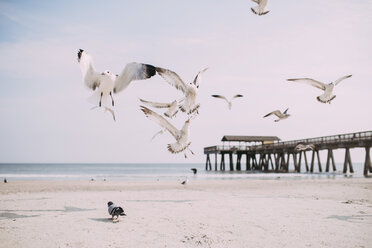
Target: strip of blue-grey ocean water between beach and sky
x=138 y=172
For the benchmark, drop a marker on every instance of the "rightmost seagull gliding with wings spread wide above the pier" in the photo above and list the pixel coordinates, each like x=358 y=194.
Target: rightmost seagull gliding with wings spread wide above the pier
x=327 y=96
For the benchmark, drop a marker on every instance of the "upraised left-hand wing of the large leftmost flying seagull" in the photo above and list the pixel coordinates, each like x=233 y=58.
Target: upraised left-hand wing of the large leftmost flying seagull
x=91 y=78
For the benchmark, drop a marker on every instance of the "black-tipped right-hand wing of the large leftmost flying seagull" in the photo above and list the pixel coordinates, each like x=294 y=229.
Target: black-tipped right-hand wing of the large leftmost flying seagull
x=133 y=71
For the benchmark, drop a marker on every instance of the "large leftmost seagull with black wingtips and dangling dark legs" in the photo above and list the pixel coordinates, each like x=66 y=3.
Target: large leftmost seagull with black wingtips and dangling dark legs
x=106 y=82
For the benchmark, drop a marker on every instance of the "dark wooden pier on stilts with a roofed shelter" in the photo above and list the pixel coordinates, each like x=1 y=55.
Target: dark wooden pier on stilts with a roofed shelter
x=268 y=153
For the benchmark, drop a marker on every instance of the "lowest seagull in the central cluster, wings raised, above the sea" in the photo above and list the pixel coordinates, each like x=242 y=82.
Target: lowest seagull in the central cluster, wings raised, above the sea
x=181 y=136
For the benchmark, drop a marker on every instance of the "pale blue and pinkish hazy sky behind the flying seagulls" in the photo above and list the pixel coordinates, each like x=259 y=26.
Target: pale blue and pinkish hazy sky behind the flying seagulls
x=46 y=118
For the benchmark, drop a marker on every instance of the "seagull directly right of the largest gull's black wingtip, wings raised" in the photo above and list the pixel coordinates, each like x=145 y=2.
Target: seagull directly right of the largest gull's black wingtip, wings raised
x=189 y=90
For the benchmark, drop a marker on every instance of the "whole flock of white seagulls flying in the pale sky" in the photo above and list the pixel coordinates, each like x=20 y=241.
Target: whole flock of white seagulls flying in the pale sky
x=106 y=84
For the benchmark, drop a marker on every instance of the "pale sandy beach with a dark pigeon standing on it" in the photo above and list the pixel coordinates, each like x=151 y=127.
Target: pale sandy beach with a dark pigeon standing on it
x=223 y=213
